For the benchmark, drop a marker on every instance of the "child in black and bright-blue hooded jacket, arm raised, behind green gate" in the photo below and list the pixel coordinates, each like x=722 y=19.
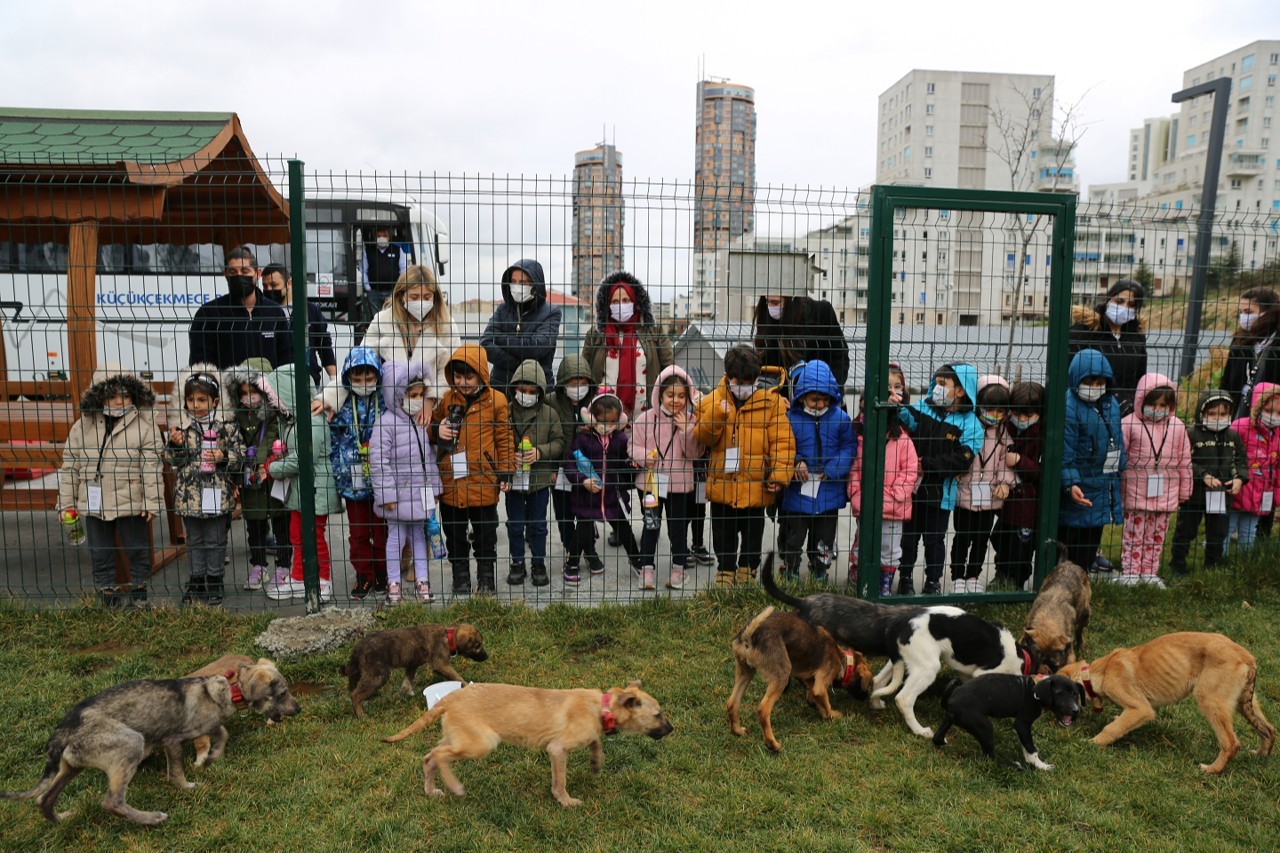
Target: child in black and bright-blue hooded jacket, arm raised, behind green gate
x=948 y=435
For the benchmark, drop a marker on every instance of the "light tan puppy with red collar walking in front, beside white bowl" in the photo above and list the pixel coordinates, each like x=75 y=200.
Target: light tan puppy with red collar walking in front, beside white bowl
x=481 y=717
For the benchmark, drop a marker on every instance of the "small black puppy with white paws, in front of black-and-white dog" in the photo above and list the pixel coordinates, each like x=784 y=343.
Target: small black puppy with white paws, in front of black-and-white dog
x=1025 y=699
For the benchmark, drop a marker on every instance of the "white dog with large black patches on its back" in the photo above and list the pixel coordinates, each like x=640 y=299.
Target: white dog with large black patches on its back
x=967 y=644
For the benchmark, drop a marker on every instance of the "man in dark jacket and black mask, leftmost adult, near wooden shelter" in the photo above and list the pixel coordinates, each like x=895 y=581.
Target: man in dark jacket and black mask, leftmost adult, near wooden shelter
x=243 y=325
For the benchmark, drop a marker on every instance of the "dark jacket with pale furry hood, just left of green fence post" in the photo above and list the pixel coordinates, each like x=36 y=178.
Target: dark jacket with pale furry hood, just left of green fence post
x=259 y=430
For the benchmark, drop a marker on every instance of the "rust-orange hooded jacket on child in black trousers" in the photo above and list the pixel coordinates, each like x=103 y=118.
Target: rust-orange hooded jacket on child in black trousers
x=484 y=437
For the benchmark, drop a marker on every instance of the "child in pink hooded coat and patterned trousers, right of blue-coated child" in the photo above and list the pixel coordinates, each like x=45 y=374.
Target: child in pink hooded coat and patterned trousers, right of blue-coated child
x=1158 y=480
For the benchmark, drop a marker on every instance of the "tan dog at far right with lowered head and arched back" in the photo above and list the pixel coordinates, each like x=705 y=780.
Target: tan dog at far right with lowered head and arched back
x=1222 y=674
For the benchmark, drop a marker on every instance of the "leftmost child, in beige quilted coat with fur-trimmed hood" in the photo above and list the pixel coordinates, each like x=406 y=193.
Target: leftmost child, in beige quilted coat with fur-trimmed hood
x=111 y=477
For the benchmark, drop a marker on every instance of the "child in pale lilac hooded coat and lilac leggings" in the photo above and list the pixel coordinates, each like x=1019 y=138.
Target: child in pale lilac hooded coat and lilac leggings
x=406 y=480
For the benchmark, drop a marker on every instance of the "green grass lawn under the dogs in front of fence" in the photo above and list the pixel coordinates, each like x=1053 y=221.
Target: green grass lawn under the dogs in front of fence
x=323 y=781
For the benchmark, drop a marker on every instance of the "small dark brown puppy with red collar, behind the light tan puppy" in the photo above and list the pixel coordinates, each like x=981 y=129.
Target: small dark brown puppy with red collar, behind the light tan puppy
x=376 y=656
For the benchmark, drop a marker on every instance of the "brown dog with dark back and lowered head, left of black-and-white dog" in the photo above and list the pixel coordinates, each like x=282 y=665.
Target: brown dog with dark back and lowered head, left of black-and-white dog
x=779 y=646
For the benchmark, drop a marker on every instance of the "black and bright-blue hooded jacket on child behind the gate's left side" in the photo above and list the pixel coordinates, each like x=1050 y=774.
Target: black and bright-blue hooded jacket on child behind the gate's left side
x=947 y=441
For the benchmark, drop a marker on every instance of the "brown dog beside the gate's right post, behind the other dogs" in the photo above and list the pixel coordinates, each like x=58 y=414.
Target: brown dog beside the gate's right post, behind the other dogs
x=1057 y=623
